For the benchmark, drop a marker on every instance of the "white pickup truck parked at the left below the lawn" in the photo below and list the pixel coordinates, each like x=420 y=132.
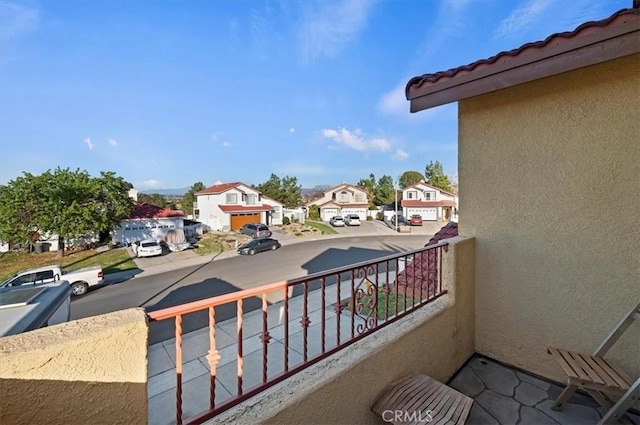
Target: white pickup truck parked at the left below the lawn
x=80 y=280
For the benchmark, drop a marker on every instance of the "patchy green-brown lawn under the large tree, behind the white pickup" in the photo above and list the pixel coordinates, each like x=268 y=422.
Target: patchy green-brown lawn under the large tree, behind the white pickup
x=111 y=261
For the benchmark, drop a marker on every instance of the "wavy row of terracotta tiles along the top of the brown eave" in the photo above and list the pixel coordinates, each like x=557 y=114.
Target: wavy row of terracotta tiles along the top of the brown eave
x=554 y=39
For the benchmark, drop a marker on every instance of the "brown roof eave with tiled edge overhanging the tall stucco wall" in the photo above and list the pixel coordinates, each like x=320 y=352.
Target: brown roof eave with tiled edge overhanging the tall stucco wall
x=589 y=44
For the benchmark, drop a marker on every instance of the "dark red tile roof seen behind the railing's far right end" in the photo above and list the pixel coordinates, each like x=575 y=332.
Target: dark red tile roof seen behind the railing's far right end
x=423 y=270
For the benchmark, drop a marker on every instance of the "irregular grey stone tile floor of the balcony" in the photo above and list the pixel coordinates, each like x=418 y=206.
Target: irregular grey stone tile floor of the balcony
x=503 y=395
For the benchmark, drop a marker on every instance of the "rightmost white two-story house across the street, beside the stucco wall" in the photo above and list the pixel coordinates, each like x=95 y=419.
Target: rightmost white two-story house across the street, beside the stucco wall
x=429 y=202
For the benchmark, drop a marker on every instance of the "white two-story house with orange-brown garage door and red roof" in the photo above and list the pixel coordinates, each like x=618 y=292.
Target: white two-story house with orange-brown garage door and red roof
x=228 y=206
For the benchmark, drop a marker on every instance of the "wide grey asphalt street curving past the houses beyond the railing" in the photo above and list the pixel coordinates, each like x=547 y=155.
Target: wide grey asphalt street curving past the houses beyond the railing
x=232 y=274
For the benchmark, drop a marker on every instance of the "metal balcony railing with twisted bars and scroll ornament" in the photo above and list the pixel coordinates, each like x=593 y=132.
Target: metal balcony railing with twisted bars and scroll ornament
x=348 y=303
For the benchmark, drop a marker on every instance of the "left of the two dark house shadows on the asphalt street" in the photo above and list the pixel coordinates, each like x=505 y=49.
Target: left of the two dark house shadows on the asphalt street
x=165 y=329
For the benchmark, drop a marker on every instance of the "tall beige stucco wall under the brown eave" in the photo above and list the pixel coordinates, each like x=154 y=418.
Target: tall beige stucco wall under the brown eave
x=550 y=188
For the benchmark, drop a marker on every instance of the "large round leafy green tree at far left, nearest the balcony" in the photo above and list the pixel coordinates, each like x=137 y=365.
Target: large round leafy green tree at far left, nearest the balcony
x=66 y=203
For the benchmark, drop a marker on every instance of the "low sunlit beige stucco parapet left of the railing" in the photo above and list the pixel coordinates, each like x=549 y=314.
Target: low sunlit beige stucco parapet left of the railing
x=89 y=371
